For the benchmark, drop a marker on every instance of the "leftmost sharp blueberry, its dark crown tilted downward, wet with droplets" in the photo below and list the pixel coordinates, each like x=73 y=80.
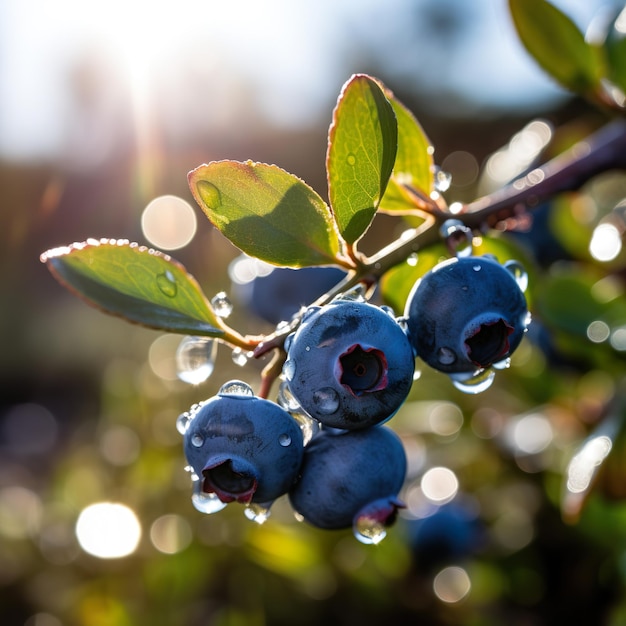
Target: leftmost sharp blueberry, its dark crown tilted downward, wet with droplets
x=244 y=448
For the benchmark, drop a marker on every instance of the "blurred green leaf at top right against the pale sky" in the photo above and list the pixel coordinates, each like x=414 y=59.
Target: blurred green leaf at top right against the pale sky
x=557 y=44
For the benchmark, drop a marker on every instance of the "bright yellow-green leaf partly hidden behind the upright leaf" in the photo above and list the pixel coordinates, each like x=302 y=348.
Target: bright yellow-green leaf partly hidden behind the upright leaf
x=414 y=164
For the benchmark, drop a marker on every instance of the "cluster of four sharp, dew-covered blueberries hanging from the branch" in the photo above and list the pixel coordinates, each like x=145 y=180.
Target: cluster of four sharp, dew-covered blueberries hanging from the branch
x=349 y=367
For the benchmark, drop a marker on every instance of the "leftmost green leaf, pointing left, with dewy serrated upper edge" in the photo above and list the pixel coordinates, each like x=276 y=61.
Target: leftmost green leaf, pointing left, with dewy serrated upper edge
x=139 y=284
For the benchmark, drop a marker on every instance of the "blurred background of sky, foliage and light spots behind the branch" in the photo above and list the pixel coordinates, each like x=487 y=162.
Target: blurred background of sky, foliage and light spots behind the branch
x=105 y=107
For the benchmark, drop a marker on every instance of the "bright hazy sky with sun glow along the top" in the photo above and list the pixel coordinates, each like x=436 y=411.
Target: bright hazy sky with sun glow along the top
x=202 y=61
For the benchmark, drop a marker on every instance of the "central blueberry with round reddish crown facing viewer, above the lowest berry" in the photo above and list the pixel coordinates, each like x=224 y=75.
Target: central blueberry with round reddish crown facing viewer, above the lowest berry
x=349 y=364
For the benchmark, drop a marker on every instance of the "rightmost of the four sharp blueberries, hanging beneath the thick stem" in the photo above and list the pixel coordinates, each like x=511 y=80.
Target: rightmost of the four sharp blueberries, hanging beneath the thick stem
x=466 y=314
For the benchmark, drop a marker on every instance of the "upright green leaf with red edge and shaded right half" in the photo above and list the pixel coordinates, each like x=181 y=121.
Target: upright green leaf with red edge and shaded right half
x=362 y=145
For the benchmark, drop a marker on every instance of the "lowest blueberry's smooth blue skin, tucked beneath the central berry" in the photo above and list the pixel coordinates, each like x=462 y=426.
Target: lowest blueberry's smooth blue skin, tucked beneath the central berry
x=345 y=472
